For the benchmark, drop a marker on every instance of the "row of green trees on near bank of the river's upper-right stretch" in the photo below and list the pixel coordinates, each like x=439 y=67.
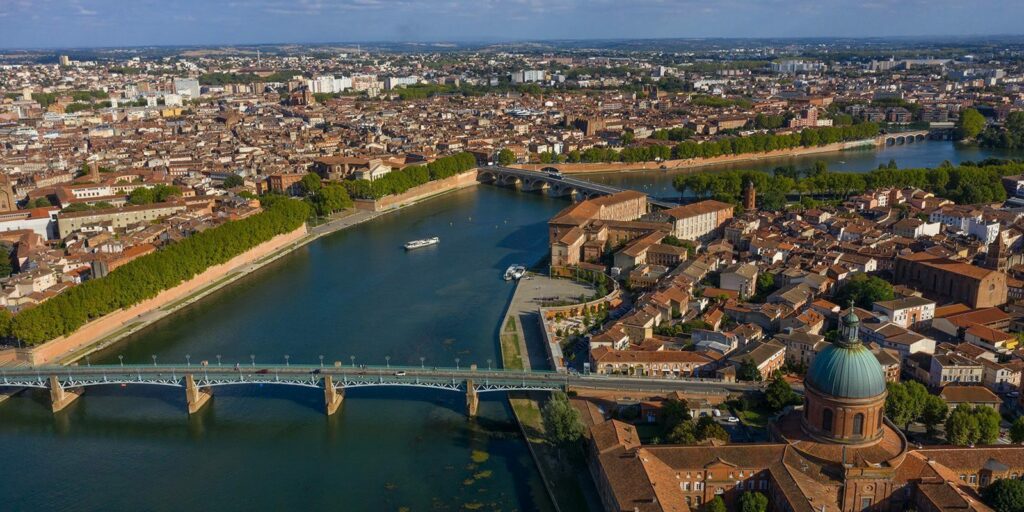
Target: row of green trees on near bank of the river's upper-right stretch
x=963 y=185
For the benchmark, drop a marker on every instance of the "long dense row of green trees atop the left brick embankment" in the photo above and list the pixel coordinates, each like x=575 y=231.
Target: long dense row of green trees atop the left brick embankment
x=146 y=277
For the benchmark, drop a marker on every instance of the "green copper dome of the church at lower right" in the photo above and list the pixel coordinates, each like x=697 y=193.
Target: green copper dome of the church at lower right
x=847 y=371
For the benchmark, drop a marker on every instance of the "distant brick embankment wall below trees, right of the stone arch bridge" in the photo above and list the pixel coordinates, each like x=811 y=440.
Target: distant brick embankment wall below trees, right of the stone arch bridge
x=686 y=164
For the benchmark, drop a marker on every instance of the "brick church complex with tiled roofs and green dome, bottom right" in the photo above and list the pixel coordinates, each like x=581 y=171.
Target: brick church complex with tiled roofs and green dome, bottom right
x=836 y=454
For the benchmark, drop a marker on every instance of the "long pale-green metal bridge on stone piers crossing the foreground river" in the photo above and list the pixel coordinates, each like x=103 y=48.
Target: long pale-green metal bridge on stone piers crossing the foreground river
x=66 y=385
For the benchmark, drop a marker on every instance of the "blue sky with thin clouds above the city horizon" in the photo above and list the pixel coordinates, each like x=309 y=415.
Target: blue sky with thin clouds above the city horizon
x=35 y=24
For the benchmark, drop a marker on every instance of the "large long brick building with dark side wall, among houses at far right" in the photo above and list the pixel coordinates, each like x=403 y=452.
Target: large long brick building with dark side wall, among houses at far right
x=952 y=281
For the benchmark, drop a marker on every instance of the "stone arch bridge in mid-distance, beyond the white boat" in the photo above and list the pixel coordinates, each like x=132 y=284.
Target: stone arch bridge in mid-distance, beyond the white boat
x=556 y=184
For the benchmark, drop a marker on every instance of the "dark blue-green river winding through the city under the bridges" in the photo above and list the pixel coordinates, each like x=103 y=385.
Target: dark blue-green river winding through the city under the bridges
x=356 y=293
